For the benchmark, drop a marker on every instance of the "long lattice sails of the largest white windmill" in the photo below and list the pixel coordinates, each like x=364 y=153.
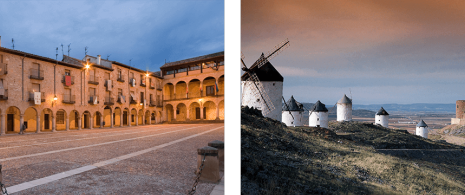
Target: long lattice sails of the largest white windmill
x=260 y=93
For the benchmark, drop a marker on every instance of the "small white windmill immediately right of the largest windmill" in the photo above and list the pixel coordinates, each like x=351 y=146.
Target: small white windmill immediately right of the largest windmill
x=292 y=113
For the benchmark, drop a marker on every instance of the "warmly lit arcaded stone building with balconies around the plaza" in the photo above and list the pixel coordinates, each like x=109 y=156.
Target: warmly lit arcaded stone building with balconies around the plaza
x=43 y=94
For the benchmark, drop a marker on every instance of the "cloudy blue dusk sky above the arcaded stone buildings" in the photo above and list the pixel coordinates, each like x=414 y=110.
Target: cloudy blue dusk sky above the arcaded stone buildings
x=148 y=32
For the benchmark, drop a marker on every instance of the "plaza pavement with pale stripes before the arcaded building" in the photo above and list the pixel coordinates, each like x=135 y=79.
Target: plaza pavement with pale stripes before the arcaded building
x=150 y=159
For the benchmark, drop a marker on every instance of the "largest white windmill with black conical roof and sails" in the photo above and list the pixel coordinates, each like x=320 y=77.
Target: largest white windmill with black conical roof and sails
x=262 y=85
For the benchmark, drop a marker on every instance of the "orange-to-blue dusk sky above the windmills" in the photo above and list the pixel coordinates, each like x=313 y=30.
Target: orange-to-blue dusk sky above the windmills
x=383 y=51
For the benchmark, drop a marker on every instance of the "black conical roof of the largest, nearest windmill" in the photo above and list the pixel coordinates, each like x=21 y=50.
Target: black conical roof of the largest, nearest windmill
x=265 y=73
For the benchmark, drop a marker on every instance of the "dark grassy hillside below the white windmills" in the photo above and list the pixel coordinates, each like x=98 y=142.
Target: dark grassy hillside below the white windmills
x=275 y=159
